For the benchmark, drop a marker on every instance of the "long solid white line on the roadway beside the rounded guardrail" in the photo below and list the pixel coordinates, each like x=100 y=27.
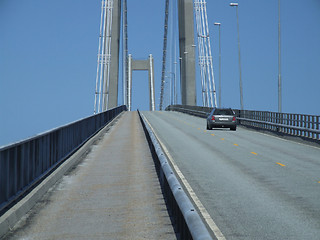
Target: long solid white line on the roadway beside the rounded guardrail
x=206 y=216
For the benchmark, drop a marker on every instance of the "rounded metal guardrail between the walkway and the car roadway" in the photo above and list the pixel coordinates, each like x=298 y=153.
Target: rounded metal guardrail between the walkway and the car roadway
x=188 y=221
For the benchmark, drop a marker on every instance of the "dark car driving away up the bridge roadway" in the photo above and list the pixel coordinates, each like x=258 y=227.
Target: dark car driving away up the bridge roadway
x=222 y=118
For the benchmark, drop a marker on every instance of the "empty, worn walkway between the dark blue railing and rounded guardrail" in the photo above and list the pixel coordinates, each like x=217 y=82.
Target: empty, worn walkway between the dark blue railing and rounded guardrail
x=113 y=194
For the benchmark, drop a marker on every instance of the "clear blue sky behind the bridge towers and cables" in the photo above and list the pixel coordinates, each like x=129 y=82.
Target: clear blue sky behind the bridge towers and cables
x=48 y=57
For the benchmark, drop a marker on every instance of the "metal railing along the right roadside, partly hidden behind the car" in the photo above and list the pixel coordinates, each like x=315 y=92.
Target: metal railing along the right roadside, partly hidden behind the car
x=302 y=125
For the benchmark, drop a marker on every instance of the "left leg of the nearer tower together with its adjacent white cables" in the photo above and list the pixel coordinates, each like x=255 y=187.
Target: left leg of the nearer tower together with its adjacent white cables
x=106 y=93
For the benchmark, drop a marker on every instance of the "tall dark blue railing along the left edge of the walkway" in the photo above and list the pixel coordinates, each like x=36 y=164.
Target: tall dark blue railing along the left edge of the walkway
x=25 y=164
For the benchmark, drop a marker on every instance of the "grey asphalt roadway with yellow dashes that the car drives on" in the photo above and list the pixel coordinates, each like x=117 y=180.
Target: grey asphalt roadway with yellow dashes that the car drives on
x=254 y=185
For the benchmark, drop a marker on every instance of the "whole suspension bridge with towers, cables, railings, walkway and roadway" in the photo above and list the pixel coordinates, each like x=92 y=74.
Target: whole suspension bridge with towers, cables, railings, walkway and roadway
x=122 y=174
